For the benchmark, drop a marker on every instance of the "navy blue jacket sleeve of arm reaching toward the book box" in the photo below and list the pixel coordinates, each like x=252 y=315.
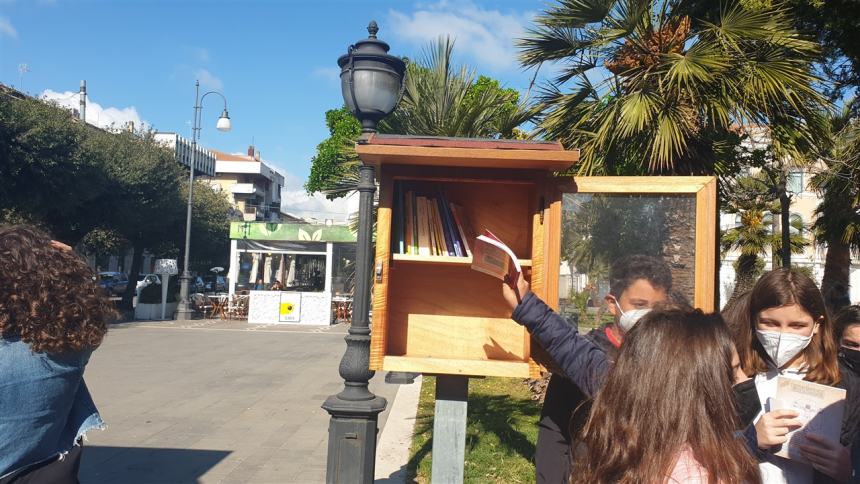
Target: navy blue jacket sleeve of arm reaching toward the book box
x=583 y=362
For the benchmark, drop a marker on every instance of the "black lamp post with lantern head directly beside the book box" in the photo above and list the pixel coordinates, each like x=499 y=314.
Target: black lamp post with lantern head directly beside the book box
x=371 y=84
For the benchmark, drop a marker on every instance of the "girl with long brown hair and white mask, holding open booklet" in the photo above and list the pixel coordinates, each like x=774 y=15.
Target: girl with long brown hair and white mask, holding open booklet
x=784 y=330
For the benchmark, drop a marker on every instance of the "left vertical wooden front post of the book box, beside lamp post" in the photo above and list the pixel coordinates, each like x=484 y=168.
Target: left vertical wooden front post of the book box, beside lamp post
x=378 y=335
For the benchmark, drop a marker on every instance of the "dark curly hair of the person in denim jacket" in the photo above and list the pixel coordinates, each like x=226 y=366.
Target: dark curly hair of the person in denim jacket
x=48 y=297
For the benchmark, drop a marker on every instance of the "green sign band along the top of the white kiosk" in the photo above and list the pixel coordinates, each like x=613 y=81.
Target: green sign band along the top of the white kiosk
x=290 y=232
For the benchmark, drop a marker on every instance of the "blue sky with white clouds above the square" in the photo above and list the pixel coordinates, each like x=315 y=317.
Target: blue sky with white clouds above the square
x=274 y=60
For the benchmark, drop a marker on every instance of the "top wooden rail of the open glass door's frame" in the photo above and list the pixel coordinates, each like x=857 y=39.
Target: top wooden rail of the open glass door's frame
x=637 y=184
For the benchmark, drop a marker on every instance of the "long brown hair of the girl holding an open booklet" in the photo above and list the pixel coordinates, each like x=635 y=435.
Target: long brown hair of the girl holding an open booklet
x=781 y=287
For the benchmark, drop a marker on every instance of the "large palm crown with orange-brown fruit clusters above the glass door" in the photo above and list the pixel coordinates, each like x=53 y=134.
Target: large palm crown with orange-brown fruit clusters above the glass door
x=658 y=89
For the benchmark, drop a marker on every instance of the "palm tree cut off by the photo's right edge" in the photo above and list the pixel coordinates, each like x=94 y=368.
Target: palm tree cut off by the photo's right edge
x=837 y=225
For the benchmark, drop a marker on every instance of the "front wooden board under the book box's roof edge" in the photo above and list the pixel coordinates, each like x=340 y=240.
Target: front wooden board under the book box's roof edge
x=467 y=157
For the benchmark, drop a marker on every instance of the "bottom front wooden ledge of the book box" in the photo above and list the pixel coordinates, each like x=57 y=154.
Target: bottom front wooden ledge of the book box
x=446 y=366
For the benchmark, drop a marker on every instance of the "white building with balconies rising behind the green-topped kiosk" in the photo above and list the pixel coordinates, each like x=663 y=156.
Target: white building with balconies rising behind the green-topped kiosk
x=250 y=184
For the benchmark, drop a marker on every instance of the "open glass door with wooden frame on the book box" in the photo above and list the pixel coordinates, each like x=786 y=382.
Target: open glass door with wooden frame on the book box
x=597 y=221
